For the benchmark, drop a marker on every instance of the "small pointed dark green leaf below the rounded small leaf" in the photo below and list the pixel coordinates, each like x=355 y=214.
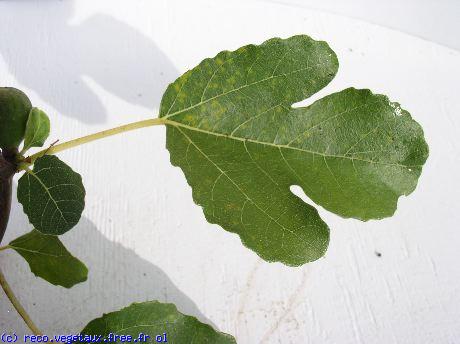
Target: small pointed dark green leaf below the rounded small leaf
x=49 y=259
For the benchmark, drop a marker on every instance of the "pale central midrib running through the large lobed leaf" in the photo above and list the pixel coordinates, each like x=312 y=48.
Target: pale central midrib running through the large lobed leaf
x=177 y=124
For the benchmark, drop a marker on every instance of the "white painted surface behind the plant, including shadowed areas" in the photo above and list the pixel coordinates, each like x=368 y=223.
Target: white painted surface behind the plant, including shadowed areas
x=93 y=65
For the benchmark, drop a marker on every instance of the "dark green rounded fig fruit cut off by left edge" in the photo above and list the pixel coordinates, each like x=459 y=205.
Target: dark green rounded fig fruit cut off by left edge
x=14 y=112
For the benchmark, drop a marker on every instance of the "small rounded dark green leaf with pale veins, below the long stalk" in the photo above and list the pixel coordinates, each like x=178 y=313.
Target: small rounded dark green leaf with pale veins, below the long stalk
x=52 y=195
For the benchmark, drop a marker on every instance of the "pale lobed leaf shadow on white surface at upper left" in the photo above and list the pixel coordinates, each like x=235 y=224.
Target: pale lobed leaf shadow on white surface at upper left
x=51 y=56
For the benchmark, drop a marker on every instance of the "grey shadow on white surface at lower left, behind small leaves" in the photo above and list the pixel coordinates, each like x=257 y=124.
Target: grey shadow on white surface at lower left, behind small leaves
x=117 y=278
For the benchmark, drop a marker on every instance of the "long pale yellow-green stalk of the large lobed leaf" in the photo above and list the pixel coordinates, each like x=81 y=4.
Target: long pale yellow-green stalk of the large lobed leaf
x=97 y=136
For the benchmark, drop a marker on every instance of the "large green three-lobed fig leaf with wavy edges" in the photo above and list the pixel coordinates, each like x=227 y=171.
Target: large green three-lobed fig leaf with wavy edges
x=232 y=129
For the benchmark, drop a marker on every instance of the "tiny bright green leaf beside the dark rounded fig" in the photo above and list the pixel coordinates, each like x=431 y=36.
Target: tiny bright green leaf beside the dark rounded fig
x=37 y=129
